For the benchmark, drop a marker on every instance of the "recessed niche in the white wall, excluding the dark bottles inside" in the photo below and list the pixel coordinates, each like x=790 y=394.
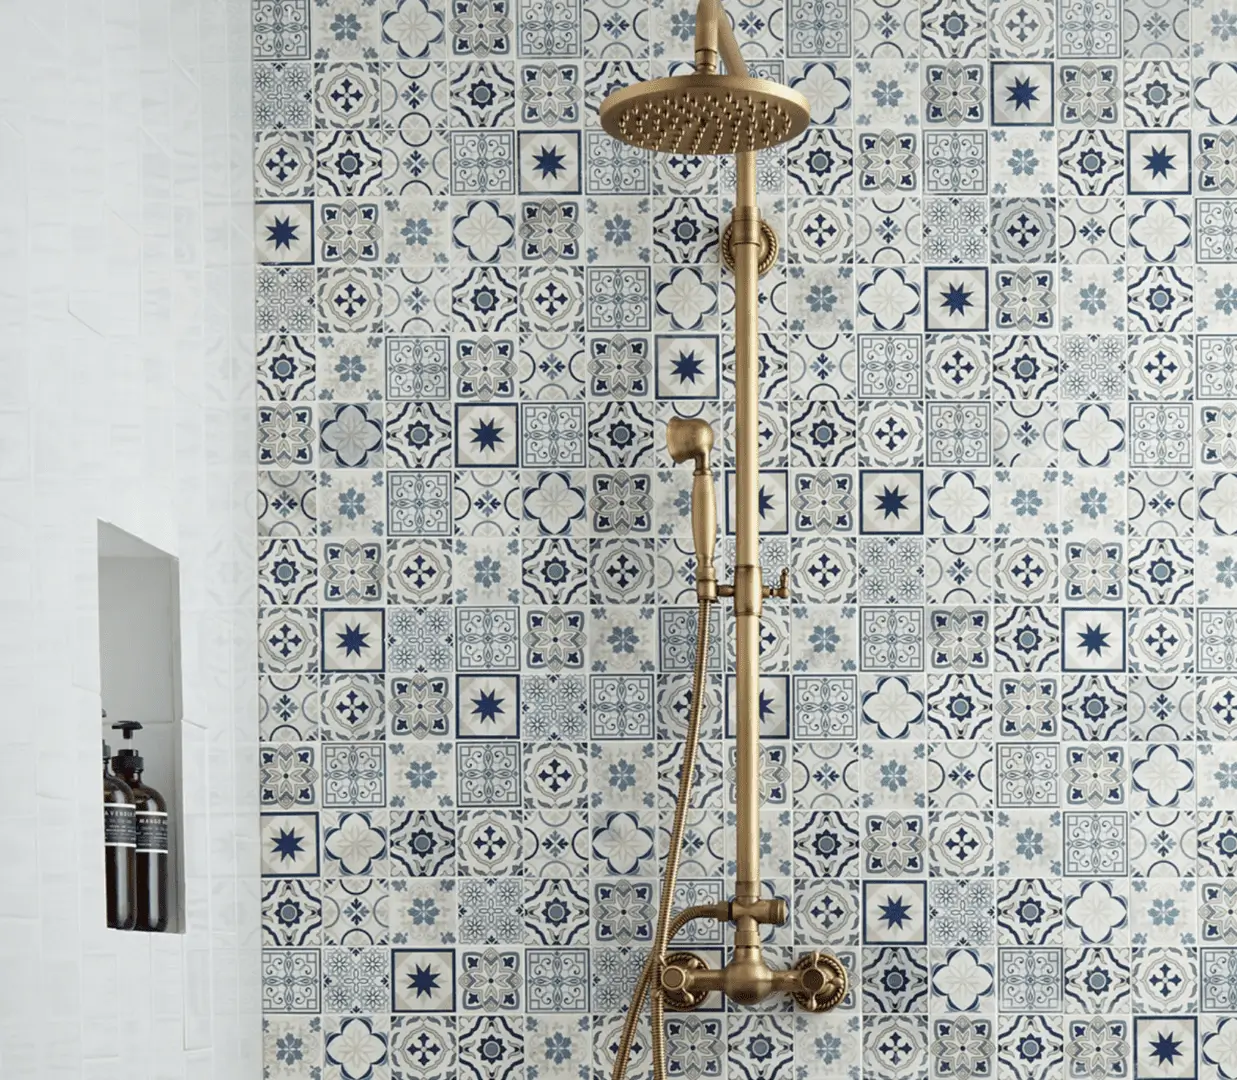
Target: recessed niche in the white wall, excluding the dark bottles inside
x=140 y=676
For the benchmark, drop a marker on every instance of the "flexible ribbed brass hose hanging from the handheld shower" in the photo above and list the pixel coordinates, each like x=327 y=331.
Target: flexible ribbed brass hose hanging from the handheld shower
x=667 y=927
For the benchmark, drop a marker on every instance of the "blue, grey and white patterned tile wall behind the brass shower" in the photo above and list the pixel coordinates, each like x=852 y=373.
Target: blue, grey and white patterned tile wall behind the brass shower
x=1000 y=452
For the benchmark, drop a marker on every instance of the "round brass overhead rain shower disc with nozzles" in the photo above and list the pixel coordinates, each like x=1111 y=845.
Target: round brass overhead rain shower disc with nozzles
x=706 y=114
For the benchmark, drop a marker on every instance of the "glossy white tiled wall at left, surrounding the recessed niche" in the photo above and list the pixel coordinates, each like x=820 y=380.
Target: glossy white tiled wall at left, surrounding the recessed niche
x=126 y=395
